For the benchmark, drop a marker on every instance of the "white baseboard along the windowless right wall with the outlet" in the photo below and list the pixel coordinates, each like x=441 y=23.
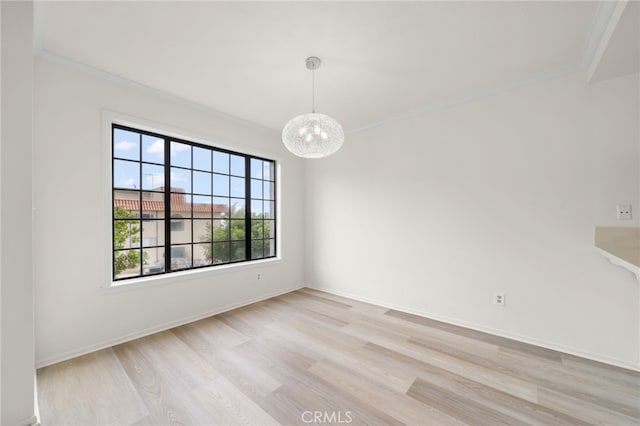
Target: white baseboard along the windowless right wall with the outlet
x=497 y=332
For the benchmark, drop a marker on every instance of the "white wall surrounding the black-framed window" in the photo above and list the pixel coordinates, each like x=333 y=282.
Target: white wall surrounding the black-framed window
x=74 y=314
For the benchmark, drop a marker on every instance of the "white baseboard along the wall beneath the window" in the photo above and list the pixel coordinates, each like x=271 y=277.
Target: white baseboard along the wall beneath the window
x=155 y=329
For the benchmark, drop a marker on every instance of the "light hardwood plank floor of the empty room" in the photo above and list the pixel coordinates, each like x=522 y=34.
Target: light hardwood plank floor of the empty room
x=309 y=357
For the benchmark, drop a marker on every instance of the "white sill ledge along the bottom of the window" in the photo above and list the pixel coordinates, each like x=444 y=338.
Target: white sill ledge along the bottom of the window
x=188 y=275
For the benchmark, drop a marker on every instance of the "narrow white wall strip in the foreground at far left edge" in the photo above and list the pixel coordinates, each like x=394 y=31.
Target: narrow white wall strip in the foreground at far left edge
x=17 y=366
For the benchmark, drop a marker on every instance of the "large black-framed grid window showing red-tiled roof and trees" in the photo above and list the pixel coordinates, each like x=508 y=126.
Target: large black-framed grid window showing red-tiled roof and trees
x=182 y=205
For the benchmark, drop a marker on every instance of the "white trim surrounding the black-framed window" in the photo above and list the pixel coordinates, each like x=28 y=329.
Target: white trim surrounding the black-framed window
x=110 y=118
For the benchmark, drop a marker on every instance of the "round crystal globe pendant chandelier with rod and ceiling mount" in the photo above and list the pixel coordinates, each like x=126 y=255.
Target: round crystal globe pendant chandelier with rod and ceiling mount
x=313 y=135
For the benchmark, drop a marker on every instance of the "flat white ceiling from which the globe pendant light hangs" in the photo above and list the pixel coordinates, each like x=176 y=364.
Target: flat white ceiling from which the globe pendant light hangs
x=380 y=59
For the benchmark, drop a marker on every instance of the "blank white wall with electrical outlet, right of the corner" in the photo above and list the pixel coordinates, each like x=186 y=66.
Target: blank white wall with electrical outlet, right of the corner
x=435 y=212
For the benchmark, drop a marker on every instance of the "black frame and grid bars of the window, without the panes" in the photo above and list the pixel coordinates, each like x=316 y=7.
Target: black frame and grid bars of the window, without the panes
x=167 y=192
